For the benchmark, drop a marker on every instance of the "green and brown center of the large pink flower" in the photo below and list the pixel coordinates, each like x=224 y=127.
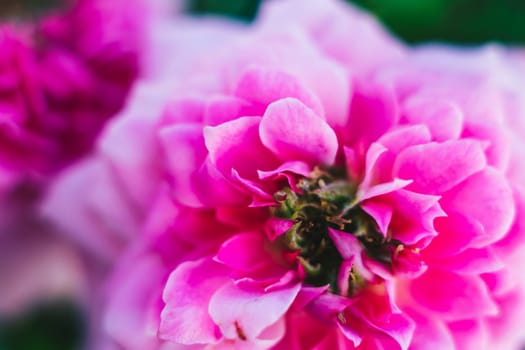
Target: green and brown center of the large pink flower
x=327 y=199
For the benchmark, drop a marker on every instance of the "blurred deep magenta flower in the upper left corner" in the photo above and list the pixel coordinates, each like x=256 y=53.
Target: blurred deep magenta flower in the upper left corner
x=63 y=79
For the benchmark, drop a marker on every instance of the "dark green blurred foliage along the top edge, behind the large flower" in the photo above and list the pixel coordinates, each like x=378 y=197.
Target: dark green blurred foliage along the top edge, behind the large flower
x=461 y=21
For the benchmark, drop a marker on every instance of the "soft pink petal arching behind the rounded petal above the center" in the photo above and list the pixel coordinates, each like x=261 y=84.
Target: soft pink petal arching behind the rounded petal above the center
x=262 y=86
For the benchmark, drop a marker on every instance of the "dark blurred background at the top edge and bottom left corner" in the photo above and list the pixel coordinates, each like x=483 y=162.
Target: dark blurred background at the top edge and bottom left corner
x=59 y=325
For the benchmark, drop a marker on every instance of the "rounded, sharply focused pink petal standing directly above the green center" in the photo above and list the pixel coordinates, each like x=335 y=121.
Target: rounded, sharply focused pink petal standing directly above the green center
x=292 y=131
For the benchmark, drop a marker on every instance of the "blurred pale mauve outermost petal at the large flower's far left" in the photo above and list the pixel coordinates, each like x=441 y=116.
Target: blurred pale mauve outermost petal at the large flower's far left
x=104 y=220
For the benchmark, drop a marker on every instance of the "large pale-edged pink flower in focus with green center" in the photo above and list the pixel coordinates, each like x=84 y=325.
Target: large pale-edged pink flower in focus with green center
x=307 y=182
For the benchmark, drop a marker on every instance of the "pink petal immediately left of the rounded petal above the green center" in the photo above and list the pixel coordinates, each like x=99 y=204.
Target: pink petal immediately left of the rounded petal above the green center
x=236 y=145
